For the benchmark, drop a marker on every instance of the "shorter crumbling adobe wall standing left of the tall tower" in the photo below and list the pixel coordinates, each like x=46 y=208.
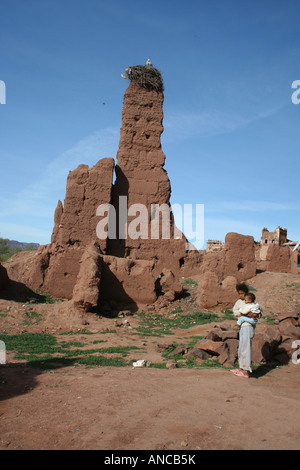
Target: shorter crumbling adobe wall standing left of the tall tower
x=57 y=264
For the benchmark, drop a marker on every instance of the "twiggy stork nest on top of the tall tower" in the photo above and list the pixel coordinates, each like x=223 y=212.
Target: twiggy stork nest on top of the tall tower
x=147 y=76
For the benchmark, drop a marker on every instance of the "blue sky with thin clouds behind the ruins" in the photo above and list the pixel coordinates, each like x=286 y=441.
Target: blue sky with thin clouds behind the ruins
x=231 y=132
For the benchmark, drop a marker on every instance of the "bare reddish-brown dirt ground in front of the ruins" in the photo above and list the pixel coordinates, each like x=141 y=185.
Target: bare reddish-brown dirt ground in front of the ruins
x=126 y=408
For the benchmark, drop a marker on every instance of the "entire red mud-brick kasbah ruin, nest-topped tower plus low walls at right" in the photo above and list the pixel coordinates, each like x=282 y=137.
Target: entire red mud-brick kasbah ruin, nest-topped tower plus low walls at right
x=98 y=281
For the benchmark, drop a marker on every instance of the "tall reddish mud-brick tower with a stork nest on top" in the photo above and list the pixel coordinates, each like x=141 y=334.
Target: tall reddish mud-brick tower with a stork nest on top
x=141 y=178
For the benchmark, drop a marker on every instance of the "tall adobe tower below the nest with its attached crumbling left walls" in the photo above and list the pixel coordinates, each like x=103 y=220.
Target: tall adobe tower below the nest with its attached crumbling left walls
x=121 y=270
